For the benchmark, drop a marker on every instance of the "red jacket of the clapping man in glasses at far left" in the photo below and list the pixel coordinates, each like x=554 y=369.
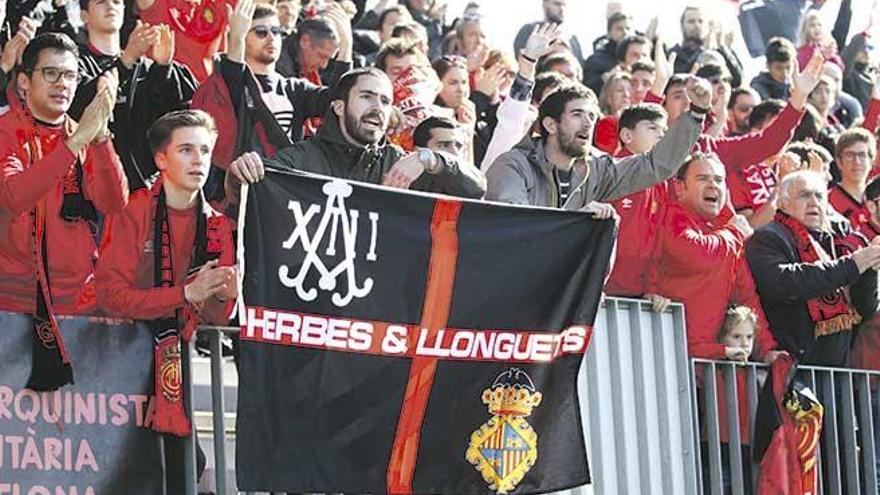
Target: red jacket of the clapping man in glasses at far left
x=71 y=248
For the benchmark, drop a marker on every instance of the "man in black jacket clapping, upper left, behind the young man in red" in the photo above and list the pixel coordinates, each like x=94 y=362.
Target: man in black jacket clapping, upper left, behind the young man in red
x=147 y=88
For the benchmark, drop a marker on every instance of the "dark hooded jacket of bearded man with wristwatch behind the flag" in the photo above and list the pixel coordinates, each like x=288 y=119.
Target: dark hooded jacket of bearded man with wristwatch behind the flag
x=330 y=153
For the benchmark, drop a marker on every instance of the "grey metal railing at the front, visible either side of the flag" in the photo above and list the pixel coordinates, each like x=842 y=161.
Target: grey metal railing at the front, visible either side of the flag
x=644 y=420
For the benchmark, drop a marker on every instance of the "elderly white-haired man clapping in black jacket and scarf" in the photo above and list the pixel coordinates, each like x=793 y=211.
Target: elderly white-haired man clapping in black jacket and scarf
x=816 y=277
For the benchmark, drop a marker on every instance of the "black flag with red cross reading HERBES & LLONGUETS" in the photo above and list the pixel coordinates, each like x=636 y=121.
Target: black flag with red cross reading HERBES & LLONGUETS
x=405 y=343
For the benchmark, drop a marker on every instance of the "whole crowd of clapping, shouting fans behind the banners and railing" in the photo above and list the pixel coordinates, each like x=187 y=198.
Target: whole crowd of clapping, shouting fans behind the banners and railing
x=750 y=198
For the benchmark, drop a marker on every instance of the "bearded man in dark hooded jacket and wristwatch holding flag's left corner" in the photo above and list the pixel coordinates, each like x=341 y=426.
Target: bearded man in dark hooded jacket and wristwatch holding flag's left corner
x=351 y=145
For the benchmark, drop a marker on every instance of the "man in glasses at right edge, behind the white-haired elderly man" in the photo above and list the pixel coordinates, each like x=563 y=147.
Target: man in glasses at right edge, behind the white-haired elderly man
x=854 y=153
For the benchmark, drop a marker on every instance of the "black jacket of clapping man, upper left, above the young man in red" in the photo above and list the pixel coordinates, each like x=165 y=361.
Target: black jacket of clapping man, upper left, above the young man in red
x=146 y=92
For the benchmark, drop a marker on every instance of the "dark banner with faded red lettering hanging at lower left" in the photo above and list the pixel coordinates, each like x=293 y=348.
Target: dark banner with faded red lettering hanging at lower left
x=91 y=438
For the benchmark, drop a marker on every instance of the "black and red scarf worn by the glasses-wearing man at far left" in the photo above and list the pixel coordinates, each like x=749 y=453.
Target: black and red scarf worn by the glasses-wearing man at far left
x=51 y=367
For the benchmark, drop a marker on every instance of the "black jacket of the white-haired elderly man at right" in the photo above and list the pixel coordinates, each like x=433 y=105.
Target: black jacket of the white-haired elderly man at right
x=785 y=284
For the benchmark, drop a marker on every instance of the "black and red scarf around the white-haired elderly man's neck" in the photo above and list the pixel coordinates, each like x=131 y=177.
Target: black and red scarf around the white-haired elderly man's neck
x=830 y=313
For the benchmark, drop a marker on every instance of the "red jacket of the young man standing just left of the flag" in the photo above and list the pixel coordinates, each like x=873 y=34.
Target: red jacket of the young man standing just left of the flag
x=124 y=278
